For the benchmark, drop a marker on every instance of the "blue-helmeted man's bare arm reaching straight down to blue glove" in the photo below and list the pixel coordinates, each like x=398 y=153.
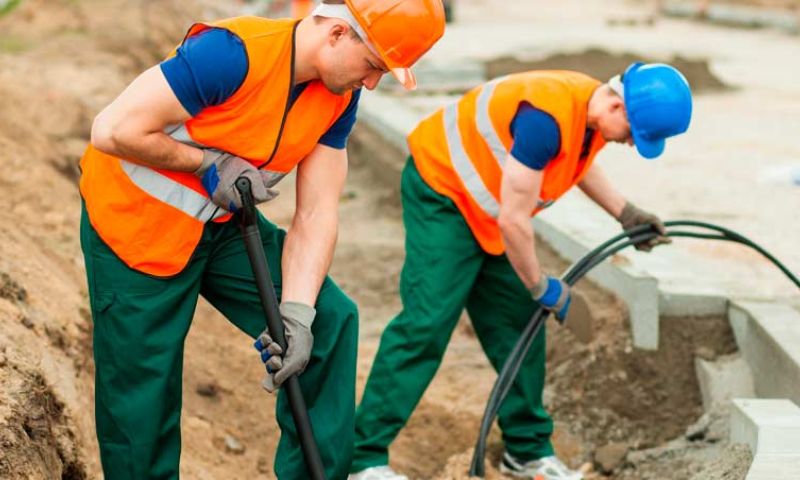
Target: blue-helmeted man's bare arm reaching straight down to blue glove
x=519 y=193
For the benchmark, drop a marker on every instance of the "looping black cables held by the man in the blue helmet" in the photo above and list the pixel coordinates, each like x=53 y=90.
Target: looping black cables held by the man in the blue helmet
x=508 y=373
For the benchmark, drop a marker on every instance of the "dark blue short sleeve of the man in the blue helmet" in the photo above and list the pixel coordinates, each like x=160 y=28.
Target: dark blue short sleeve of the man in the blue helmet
x=537 y=139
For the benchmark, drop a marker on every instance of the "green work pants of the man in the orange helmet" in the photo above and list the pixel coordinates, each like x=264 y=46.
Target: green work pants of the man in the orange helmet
x=141 y=322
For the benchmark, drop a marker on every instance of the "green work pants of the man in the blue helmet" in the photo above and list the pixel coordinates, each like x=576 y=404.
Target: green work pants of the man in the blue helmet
x=445 y=271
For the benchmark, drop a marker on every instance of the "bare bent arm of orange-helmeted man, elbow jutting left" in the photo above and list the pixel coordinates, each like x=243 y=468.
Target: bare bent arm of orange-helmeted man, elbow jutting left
x=132 y=126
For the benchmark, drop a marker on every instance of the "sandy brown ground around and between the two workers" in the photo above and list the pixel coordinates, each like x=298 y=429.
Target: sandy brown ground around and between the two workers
x=60 y=62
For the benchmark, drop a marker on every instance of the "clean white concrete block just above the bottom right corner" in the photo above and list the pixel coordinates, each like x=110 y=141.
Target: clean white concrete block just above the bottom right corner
x=766 y=426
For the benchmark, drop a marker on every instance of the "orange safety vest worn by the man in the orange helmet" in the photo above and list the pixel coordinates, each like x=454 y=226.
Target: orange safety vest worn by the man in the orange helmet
x=153 y=218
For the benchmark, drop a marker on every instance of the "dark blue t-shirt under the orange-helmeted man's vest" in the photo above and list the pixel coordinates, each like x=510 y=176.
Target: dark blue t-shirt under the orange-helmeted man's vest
x=211 y=66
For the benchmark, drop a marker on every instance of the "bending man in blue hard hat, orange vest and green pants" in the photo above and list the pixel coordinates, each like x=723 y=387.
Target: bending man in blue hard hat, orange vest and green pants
x=480 y=168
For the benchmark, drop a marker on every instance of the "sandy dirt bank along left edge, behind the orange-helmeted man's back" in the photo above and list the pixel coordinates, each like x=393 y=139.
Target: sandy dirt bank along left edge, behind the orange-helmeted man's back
x=60 y=62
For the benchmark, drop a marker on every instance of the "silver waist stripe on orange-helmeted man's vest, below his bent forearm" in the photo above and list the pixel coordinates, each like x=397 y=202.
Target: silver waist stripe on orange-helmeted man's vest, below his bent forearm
x=172 y=193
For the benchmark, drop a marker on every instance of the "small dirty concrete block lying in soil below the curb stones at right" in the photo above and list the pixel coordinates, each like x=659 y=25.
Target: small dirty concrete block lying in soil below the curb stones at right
x=723 y=380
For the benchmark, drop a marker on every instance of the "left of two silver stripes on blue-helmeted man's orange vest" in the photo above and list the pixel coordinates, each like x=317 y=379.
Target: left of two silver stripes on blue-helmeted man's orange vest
x=464 y=166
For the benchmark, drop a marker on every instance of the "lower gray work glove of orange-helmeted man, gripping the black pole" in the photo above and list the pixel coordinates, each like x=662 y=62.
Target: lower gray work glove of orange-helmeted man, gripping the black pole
x=297 y=319
